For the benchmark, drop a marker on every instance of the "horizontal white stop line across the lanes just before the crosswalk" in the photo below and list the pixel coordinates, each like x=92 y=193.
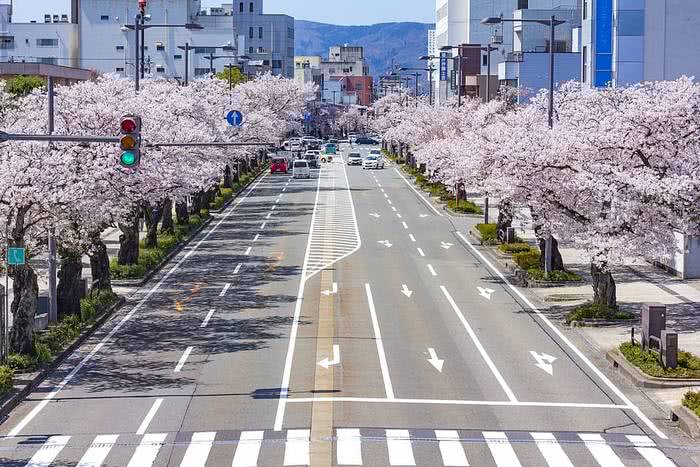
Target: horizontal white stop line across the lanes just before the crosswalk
x=380 y=400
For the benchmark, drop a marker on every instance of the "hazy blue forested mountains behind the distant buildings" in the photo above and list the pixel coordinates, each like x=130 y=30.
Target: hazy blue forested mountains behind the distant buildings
x=385 y=44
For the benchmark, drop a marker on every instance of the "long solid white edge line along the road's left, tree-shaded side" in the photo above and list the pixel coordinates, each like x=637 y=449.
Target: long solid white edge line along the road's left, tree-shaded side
x=67 y=379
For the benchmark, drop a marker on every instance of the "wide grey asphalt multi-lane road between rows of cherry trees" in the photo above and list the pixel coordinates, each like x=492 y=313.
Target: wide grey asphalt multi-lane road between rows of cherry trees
x=340 y=320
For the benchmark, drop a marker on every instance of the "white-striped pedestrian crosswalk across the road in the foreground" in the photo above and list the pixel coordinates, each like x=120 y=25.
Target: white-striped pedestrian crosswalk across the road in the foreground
x=352 y=447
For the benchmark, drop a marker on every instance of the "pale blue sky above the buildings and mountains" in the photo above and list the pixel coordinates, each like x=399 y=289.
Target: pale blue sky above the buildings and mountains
x=326 y=11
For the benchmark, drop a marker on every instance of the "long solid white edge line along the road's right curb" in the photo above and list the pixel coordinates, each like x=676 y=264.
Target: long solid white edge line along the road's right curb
x=569 y=344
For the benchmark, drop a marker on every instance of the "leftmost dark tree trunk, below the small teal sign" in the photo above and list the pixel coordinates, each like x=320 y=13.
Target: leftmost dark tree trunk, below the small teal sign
x=23 y=308
